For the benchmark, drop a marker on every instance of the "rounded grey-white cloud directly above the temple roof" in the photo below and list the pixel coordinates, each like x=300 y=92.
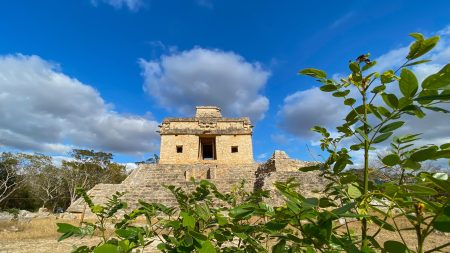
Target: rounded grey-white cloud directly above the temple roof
x=182 y=80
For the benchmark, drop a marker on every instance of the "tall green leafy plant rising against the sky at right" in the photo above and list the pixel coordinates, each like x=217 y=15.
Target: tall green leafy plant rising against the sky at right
x=369 y=123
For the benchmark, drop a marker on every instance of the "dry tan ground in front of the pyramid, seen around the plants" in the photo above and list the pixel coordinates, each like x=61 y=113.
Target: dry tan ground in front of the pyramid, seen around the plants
x=40 y=236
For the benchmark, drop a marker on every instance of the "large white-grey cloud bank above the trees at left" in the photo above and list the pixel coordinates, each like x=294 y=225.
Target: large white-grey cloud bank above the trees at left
x=42 y=109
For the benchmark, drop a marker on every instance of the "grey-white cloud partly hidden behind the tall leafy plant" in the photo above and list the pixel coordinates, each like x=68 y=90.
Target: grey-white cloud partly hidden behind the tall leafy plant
x=304 y=109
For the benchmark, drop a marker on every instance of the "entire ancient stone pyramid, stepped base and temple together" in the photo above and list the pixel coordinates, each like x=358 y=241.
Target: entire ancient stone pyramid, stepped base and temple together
x=207 y=146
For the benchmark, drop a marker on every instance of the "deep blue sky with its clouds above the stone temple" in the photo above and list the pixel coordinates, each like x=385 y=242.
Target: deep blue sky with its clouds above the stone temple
x=101 y=74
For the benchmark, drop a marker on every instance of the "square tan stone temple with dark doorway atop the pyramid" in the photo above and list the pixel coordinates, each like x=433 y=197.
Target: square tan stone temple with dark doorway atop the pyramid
x=206 y=138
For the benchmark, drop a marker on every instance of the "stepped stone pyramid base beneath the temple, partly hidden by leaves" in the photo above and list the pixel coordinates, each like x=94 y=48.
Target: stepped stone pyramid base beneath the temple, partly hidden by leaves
x=146 y=182
